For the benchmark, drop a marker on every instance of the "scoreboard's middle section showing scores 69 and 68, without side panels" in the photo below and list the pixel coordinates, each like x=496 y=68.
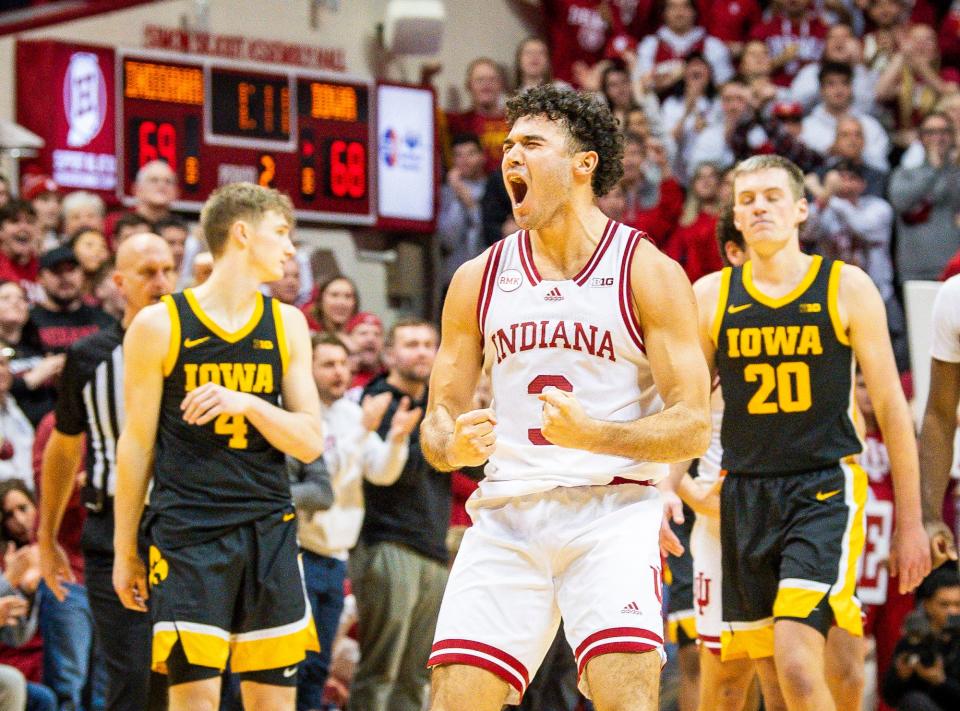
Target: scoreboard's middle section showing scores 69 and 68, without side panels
x=215 y=121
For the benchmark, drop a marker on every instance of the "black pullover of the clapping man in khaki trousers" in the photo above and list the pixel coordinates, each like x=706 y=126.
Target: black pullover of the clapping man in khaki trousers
x=415 y=510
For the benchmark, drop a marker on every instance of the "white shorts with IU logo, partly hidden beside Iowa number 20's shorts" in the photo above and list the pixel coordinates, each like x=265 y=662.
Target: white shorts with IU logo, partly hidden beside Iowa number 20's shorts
x=707 y=580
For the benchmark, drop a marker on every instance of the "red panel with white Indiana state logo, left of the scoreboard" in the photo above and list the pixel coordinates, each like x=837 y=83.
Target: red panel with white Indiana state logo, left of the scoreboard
x=65 y=94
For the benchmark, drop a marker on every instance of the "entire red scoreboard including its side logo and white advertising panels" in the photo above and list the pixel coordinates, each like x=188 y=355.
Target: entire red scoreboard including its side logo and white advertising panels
x=347 y=150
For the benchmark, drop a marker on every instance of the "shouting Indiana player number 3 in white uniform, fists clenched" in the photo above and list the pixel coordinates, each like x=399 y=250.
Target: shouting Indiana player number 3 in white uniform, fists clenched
x=598 y=380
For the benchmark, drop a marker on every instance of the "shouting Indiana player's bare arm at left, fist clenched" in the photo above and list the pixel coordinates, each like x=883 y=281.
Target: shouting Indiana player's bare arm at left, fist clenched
x=453 y=435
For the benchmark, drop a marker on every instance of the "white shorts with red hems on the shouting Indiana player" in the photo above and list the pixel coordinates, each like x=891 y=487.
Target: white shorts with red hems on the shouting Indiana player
x=587 y=554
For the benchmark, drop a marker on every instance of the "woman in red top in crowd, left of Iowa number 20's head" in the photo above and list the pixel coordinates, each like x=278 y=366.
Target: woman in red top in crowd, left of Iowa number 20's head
x=694 y=243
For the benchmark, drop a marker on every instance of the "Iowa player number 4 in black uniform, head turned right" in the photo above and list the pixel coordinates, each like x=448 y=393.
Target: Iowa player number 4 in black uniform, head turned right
x=204 y=375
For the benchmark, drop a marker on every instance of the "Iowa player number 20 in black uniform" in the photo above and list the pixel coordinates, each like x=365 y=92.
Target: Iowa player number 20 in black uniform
x=783 y=332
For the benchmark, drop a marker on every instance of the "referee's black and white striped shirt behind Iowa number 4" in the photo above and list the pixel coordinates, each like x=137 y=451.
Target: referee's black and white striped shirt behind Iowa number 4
x=91 y=402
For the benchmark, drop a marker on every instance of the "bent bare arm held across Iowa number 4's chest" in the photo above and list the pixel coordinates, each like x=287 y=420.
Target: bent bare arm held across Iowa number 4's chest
x=294 y=429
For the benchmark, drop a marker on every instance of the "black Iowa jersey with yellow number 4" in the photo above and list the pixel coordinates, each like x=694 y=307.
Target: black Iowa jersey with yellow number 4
x=213 y=477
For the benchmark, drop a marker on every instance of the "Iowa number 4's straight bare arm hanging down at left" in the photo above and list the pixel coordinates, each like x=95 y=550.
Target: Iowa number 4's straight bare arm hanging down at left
x=142 y=393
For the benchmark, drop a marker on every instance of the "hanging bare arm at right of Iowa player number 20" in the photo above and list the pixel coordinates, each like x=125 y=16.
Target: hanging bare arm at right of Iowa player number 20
x=863 y=314
